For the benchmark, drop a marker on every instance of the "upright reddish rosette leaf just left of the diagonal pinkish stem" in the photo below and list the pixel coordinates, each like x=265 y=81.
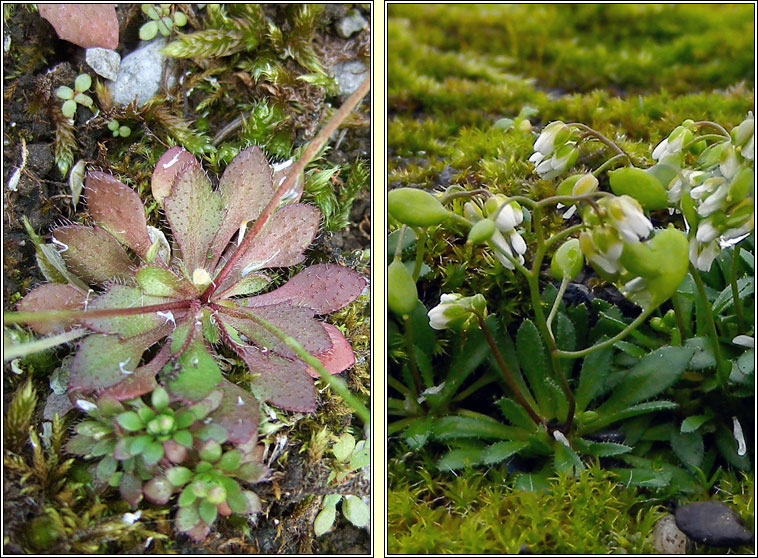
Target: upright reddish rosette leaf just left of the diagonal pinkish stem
x=246 y=189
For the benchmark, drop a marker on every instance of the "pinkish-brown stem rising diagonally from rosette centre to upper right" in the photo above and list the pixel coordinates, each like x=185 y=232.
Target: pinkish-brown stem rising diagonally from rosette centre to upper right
x=313 y=147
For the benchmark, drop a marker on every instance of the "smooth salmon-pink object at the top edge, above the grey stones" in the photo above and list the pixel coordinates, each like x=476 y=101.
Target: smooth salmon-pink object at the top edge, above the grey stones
x=86 y=25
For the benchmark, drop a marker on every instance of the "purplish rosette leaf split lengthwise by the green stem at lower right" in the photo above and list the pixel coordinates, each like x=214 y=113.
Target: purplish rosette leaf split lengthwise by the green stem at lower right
x=295 y=321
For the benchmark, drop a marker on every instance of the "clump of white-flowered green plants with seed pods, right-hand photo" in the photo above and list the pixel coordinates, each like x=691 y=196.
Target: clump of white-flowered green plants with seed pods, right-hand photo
x=553 y=408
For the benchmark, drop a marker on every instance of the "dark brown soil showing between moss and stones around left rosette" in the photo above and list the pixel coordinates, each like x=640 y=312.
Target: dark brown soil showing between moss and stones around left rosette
x=40 y=63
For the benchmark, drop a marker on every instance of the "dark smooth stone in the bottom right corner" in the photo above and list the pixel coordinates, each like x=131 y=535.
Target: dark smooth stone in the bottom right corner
x=712 y=523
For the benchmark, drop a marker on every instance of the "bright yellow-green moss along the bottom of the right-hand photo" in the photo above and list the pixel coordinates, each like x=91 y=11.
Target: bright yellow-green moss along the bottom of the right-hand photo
x=476 y=514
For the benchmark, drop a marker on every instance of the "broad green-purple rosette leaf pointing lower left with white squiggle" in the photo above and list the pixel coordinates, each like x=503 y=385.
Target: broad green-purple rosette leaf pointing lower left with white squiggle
x=102 y=361
